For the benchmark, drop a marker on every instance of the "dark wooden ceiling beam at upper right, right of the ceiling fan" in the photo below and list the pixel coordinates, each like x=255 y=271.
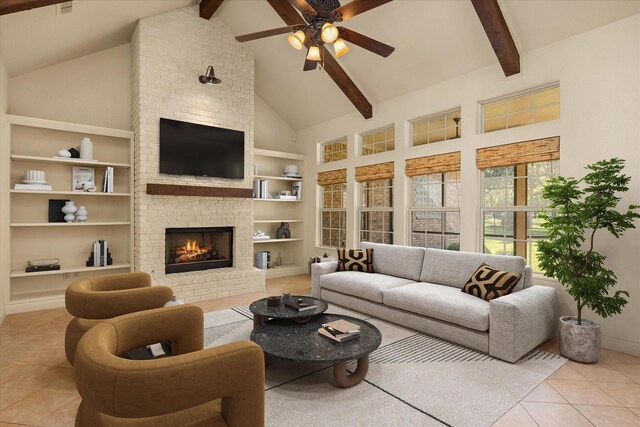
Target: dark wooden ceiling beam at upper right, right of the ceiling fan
x=498 y=33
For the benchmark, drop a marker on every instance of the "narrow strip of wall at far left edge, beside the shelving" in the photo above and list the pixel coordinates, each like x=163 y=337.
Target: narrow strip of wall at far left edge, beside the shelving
x=4 y=183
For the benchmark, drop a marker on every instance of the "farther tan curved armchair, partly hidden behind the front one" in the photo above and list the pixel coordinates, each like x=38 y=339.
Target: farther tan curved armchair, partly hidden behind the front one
x=103 y=297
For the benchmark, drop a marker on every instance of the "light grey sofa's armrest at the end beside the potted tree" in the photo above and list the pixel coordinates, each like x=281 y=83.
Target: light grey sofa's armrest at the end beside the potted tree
x=520 y=321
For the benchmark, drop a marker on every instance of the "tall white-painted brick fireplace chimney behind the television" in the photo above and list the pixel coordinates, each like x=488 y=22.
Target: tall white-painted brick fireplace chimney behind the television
x=170 y=89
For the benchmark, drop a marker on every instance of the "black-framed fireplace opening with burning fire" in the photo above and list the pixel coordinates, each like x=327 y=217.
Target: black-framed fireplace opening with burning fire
x=195 y=249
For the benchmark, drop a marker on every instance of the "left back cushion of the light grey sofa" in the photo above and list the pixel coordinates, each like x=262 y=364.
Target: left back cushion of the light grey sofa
x=396 y=260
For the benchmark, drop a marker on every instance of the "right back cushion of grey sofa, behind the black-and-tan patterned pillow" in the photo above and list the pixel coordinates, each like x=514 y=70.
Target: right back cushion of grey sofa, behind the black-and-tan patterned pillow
x=454 y=268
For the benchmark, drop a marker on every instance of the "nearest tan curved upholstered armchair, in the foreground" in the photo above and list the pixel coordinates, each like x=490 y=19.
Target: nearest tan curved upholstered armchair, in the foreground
x=219 y=386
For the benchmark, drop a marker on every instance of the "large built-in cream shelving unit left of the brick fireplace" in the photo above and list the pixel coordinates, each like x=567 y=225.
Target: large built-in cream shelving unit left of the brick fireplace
x=26 y=234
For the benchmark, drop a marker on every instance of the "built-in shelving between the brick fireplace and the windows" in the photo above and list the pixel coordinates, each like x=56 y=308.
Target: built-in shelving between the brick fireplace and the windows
x=271 y=212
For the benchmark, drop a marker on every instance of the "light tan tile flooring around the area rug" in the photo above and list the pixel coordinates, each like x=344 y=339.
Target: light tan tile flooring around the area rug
x=37 y=386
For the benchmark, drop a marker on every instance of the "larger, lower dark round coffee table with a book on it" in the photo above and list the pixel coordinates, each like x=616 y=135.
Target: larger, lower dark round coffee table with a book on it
x=302 y=343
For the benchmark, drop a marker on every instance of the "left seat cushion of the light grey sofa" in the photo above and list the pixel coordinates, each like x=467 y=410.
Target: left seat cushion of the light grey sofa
x=362 y=285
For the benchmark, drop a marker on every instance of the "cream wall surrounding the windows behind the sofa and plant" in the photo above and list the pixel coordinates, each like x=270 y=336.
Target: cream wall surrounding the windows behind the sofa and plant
x=599 y=78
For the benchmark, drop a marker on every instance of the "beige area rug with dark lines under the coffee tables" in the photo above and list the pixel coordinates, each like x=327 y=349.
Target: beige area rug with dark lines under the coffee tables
x=414 y=380
